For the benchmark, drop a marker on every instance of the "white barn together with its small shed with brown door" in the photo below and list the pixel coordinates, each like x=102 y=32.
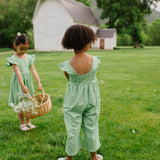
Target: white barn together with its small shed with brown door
x=52 y=17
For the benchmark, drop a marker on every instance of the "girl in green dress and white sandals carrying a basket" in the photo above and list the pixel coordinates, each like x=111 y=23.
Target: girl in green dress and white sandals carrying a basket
x=21 y=81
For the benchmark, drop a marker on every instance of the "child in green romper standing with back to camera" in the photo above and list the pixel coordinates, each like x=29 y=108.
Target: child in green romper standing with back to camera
x=82 y=99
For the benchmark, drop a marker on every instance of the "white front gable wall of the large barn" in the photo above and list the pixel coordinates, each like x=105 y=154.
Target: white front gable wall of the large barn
x=49 y=25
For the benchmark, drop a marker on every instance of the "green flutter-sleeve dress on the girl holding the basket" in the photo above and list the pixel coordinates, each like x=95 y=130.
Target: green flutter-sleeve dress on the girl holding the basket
x=24 y=66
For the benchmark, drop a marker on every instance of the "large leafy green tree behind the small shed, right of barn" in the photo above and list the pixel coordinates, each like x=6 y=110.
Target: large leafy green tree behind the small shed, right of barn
x=126 y=16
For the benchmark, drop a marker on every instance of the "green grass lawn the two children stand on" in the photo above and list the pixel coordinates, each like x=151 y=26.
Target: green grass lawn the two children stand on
x=129 y=81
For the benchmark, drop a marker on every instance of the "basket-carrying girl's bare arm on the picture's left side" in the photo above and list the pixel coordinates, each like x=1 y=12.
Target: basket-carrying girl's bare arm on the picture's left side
x=20 y=80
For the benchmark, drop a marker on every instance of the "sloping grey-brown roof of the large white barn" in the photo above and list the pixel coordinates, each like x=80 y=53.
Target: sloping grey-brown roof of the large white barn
x=78 y=11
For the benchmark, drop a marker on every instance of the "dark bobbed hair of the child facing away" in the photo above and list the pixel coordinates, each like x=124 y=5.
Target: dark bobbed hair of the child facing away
x=77 y=37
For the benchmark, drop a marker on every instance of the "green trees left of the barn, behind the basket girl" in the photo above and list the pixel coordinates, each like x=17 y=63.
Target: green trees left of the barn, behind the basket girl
x=16 y=17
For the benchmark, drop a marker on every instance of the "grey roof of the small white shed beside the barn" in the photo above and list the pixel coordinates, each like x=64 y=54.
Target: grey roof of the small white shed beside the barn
x=105 y=33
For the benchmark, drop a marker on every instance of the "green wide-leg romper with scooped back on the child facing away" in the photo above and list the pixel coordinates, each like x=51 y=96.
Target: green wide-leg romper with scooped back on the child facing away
x=82 y=106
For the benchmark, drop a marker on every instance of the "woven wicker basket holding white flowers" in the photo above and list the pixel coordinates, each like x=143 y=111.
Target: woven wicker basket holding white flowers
x=43 y=108
